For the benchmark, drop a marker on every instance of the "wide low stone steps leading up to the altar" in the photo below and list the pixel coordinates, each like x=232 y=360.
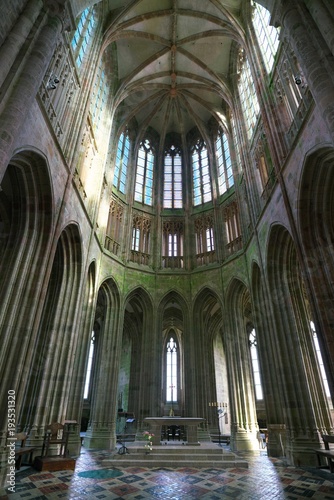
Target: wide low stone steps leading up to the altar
x=175 y=455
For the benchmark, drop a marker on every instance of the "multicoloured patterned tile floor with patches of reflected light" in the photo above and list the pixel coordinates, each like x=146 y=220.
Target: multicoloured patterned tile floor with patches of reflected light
x=265 y=479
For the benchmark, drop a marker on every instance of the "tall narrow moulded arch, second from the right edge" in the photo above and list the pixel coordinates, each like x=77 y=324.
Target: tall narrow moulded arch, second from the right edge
x=295 y=357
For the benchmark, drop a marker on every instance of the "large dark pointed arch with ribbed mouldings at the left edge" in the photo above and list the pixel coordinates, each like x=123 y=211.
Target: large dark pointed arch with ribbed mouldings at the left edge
x=26 y=228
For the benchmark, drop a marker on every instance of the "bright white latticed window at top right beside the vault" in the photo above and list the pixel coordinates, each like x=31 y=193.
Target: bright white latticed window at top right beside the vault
x=267 y=35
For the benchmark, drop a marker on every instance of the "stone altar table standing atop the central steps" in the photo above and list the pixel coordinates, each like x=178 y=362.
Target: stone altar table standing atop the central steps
x=191 y=423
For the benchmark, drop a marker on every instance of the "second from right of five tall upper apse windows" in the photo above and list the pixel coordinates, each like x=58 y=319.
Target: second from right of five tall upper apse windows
x=202 y=190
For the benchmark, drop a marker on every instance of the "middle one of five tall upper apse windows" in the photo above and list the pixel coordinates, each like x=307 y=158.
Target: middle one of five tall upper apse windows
x=173 y=178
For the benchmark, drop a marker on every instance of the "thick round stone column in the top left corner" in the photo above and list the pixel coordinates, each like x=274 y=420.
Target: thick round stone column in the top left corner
x=25 y=88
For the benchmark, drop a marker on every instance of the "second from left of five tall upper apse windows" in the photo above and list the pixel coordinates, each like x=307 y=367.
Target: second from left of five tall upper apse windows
x=144 y=174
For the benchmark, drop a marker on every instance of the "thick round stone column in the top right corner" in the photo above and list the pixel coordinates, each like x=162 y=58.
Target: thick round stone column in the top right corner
x=317 y=67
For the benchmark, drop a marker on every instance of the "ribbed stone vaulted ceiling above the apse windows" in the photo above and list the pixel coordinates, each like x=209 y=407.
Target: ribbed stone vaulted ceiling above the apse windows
x=173 y=60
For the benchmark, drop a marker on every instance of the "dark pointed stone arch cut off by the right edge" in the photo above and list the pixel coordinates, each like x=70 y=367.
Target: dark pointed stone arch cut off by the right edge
x=315 y=212
